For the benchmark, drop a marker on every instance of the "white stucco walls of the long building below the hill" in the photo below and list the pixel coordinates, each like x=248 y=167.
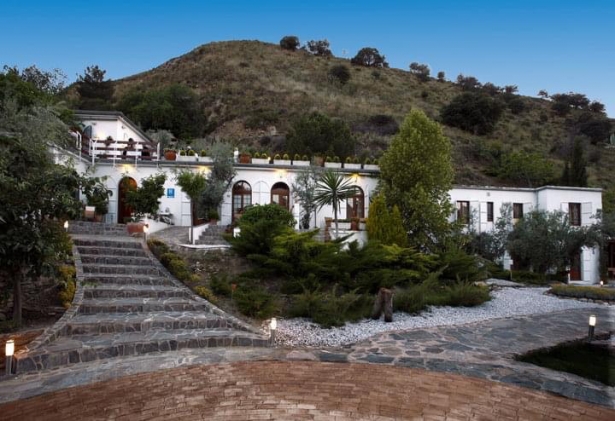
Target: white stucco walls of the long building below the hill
x=261 y=178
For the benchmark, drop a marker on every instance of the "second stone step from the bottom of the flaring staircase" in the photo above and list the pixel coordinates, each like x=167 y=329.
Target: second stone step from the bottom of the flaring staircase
x=142 y=322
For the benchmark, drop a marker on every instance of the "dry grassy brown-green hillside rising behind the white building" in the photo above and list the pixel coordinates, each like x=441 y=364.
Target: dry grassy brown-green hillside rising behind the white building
x=252 y=91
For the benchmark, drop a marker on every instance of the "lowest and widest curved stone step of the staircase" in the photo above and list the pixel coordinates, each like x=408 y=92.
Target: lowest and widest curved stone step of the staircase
x=84 y=348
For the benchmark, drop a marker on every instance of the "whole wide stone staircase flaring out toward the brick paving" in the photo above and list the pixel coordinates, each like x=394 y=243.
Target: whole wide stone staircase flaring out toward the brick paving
x=126 y=304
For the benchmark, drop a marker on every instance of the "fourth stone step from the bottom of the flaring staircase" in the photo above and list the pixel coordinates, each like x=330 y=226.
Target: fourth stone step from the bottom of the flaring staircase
x=135 y=291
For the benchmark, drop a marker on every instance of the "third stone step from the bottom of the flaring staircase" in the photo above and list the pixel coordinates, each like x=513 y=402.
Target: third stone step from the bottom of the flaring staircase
x=139 y=305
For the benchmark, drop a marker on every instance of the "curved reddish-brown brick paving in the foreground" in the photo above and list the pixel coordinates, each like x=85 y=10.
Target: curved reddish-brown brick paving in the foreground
x=299 y=390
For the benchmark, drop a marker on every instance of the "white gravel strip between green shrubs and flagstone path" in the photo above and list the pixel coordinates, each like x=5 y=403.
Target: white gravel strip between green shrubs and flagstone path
x=505 y=302
